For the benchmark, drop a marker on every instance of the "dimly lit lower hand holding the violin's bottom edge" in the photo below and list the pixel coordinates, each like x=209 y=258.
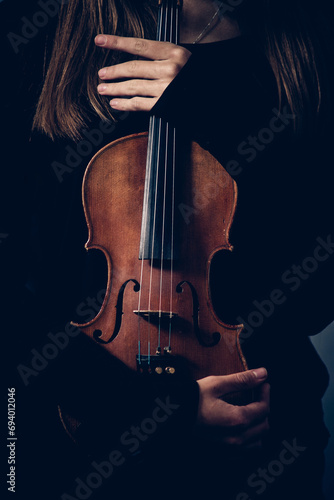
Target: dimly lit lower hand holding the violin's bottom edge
x=237 y=426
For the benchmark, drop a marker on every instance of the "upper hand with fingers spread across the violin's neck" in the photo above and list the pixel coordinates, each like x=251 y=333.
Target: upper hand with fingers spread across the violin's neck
x=144 y=80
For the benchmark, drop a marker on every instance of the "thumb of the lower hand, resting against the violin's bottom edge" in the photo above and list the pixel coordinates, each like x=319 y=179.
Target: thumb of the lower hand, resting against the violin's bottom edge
x=240 y=381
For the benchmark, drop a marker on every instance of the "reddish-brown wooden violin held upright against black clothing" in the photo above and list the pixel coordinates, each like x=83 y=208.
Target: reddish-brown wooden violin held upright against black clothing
x=139 y=194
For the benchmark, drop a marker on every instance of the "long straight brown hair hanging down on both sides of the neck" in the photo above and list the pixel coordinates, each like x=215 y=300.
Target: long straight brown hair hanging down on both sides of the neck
x=287 y=30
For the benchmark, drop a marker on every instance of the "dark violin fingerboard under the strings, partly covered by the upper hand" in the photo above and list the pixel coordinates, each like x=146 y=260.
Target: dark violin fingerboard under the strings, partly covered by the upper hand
x=157 y=241
